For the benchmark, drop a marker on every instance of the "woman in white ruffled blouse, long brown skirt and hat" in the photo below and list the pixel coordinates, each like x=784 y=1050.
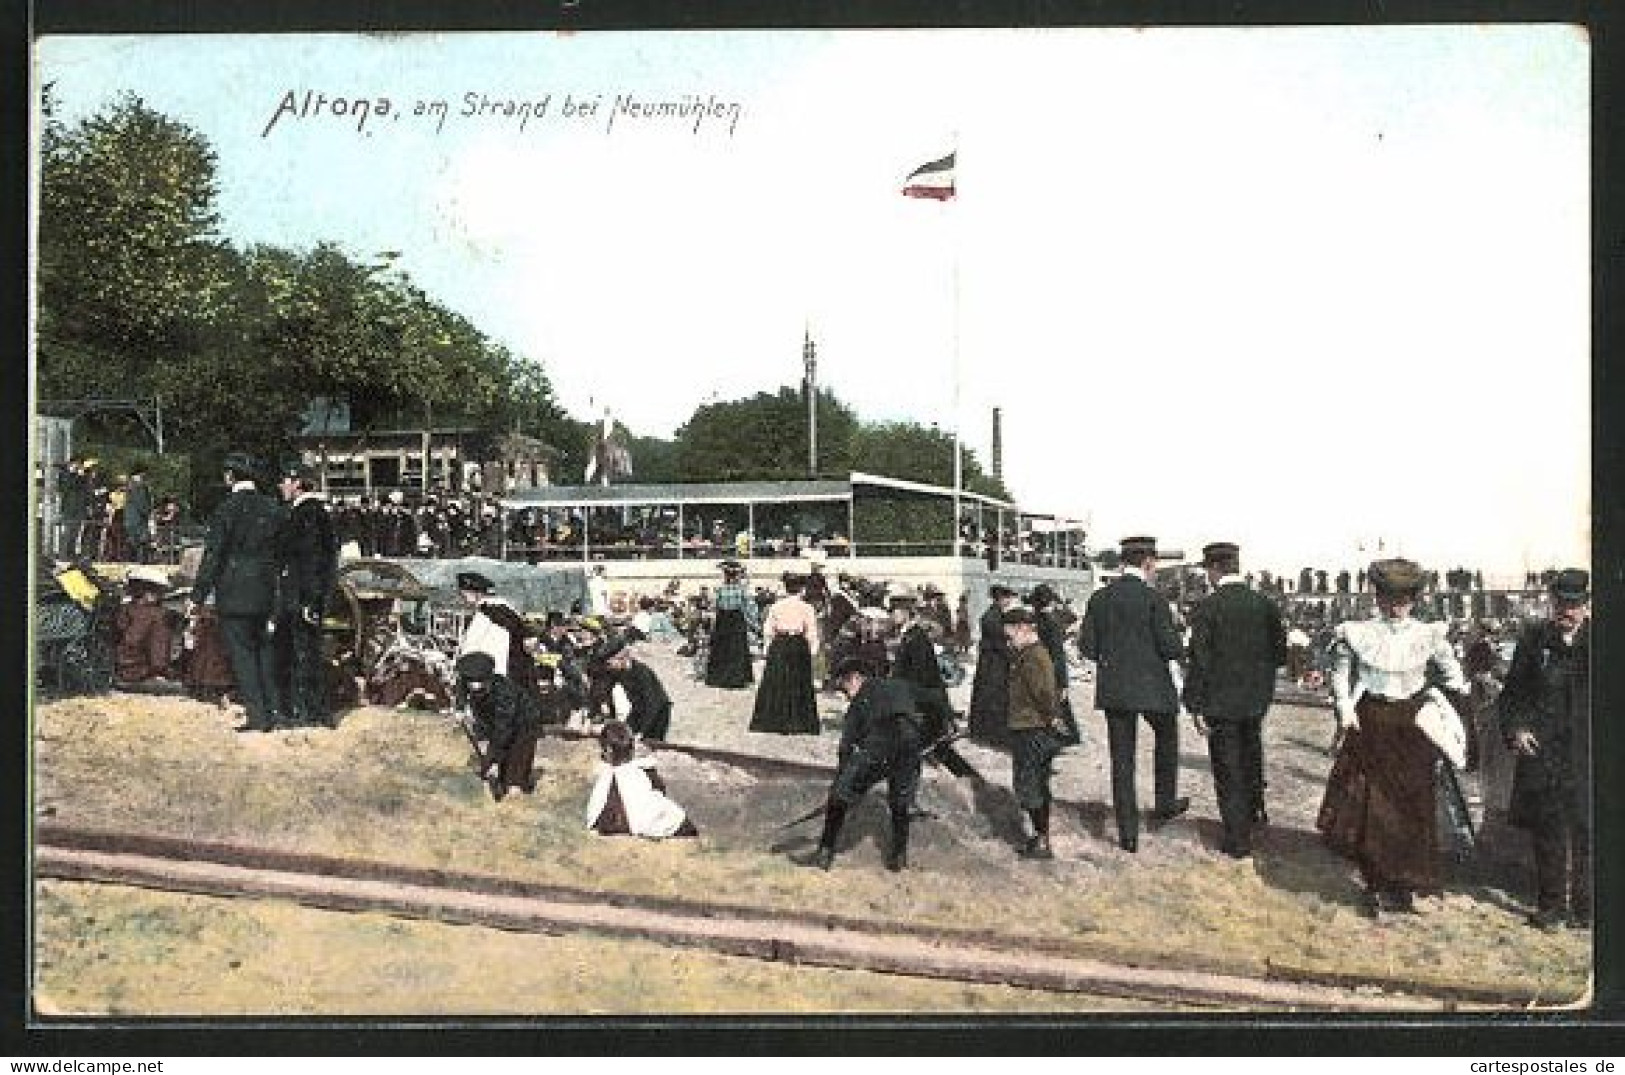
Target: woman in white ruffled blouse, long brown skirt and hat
x=1380 y=808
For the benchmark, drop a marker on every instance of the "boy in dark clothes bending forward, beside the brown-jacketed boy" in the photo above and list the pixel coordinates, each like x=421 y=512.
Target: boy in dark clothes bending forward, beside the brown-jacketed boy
x=880 y=740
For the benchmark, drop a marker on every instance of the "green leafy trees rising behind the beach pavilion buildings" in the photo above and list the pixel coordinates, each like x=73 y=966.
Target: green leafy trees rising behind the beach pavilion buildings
x=141 y=296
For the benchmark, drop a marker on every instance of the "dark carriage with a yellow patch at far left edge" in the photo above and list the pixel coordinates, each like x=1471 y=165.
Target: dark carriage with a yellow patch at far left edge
x=74 y=631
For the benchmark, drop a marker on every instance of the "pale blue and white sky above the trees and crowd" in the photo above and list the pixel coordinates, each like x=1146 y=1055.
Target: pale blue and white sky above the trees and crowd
x=1302 y=290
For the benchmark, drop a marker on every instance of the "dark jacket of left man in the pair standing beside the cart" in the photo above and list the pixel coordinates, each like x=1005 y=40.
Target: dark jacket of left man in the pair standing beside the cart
x=241 y=556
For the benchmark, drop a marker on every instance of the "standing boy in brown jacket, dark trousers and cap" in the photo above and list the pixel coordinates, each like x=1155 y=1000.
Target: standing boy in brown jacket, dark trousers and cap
x=1036 y=728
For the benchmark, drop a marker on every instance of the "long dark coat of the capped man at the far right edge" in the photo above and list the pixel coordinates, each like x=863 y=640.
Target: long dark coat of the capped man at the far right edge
x=1548 y=693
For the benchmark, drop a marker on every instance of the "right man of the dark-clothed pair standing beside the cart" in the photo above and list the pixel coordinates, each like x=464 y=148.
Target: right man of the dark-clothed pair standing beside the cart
x=310 y=568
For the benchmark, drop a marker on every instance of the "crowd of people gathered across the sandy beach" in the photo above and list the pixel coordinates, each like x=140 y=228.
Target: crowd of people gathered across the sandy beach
x=1416 y=702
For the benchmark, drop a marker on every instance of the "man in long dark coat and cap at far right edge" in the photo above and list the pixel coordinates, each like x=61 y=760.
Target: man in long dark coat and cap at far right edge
x=1546 y=715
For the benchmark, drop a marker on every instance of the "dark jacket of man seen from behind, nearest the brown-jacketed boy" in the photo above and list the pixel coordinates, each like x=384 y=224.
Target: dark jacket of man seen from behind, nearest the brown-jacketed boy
x=1129 y=632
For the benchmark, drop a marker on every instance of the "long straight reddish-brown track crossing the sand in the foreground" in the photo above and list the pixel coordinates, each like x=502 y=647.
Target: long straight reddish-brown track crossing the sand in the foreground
x=238 y=871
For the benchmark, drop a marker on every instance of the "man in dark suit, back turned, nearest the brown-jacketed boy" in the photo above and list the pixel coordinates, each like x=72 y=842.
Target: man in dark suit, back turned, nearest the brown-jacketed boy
x=1129 y=632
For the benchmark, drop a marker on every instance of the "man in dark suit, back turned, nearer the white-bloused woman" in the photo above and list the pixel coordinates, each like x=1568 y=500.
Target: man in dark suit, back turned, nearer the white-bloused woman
x=1237 y=644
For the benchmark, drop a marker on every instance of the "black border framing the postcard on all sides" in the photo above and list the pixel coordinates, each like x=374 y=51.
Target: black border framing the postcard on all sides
x=1593 y=1034
